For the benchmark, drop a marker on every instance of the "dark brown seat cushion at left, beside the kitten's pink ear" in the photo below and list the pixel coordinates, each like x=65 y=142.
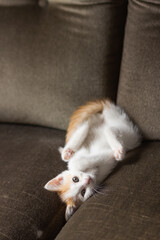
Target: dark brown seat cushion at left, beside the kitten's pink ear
x=28 y=159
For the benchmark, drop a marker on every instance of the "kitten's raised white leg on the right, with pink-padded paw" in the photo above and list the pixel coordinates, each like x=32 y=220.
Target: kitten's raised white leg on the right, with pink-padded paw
x=113 y=139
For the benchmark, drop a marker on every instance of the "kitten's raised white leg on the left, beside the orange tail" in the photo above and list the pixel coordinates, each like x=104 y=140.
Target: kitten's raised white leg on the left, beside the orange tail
x=76 y=141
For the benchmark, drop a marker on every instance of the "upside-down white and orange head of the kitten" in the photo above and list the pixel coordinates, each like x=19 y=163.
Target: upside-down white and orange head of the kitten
x=73 y=187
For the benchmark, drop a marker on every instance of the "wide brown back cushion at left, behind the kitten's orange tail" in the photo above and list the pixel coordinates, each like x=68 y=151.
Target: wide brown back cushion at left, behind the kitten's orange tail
x=56 y=58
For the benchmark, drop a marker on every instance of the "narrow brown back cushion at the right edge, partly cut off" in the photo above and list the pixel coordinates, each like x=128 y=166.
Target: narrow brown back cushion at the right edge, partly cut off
x=140 y=75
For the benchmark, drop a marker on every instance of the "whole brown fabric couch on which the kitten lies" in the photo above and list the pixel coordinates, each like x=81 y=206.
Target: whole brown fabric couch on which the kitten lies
x=54 y=56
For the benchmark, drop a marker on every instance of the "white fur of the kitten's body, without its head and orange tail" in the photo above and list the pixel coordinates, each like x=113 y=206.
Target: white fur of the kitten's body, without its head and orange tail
x=101 y=141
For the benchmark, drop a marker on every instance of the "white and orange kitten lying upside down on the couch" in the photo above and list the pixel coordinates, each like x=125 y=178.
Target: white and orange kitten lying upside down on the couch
x=98 y=136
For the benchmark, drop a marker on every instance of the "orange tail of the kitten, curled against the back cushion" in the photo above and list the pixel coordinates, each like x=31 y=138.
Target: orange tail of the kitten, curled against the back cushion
x=83 y=113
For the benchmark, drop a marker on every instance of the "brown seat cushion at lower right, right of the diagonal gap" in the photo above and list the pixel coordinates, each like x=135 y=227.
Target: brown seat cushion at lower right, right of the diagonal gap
x=129 y=207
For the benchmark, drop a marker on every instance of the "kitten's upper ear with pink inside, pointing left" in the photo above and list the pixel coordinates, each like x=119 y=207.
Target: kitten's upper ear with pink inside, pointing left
x=54 y=184
